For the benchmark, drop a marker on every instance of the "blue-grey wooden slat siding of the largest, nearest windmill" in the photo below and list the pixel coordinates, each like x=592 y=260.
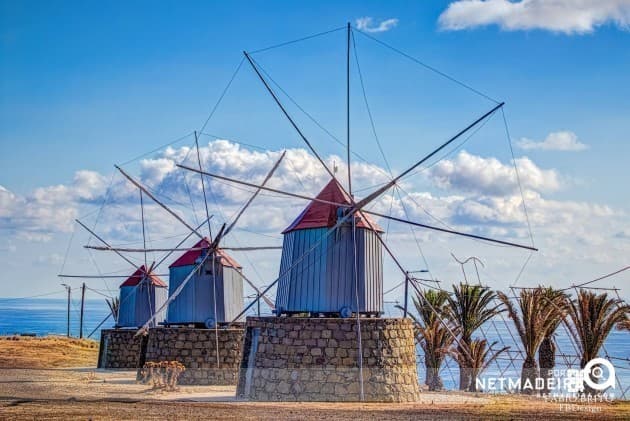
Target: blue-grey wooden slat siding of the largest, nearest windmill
x=322 y=279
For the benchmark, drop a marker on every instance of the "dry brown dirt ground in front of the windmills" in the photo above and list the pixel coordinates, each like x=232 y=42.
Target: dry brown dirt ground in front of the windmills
x=86 y=393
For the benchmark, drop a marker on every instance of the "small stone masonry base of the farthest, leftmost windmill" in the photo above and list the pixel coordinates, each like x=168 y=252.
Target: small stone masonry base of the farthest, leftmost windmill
x=121 y=349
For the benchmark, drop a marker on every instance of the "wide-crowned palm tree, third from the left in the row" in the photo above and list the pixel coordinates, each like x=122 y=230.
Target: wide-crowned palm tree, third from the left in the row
x=535 y=317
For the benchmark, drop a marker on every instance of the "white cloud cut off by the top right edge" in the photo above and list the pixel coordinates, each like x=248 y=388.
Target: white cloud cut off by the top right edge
x=564 y=16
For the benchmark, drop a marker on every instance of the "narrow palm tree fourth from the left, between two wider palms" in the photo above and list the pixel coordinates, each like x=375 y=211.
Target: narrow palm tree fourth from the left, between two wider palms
x=547 y=350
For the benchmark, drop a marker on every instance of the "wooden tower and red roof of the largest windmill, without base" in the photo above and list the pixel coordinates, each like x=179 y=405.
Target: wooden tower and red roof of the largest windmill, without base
x=337 y=278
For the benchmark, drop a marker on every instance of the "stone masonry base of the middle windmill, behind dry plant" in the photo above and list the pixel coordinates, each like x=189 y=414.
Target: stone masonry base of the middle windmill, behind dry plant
x=197 y=350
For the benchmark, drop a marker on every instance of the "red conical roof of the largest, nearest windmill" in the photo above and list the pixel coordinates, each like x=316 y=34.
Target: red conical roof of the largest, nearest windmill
x=320 y=215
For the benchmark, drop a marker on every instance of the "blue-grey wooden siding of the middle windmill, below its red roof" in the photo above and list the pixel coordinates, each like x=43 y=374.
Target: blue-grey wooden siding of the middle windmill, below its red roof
x=195 y=303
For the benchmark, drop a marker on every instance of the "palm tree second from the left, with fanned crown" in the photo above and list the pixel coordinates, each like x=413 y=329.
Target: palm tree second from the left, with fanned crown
x=468 y=308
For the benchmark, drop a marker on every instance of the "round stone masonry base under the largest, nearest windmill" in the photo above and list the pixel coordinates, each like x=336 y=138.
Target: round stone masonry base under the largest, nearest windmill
x=317 y=359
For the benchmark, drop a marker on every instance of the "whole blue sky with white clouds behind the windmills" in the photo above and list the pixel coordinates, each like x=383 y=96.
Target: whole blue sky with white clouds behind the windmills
x=87 y=85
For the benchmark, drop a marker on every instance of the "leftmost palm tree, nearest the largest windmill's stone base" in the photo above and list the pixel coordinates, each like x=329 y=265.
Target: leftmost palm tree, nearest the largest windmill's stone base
x=433 y=335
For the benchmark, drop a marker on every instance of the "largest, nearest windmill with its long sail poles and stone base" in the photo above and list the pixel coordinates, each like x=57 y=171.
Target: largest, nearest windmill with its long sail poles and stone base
x=331 y=266
